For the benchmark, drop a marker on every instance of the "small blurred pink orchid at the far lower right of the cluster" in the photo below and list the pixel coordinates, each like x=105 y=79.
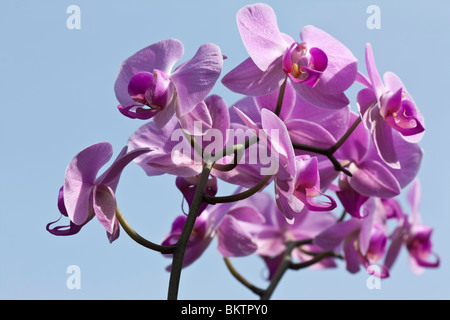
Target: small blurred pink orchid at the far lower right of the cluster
x=414 y=235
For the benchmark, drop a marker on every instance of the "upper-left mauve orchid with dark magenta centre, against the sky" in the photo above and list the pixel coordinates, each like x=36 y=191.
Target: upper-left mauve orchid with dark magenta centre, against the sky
x=146 y=86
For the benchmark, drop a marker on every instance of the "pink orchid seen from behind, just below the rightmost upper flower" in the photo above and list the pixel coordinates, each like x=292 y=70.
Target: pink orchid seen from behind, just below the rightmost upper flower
x=371 y=176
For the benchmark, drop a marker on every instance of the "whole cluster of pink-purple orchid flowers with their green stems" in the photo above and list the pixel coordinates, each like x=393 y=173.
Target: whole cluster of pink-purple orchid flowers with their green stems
x=295 y=109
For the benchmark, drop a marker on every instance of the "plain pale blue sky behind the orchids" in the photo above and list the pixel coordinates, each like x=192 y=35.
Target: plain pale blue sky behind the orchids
x=57 y=97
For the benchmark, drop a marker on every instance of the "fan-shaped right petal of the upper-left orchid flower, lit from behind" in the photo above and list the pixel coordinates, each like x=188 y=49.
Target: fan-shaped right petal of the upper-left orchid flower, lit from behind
x=195 y=78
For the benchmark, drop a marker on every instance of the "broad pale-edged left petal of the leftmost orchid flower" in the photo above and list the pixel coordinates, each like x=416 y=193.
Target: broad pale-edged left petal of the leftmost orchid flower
x=80 y=177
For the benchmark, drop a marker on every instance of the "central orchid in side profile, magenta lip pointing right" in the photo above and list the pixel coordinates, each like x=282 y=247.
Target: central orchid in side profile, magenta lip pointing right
x=297 y=179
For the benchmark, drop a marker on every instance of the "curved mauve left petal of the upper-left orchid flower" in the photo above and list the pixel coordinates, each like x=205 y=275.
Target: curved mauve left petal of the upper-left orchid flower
x=161 y=55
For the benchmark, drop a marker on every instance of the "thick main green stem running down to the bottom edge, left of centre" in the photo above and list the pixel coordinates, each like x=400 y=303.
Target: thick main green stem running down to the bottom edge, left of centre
x=180 y=246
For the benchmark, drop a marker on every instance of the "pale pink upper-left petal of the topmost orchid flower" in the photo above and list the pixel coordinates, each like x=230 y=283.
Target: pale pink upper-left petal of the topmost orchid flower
x=259 y=31
